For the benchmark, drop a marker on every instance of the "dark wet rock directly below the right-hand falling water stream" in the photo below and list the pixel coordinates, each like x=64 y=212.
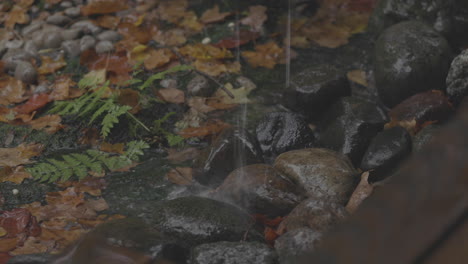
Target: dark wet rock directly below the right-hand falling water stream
x=314 y=89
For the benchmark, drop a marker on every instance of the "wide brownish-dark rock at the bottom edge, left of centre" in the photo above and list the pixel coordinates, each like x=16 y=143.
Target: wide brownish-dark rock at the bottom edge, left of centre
x=127 y=239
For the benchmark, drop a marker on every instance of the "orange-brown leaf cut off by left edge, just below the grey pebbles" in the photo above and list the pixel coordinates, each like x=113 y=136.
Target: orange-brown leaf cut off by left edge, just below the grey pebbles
x=11 y=91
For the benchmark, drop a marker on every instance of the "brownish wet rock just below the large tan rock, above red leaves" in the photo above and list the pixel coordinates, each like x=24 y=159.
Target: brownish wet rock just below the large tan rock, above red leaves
x=319 y=215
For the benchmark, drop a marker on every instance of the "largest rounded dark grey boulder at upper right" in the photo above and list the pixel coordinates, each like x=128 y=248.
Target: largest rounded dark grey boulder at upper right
x=409 y=57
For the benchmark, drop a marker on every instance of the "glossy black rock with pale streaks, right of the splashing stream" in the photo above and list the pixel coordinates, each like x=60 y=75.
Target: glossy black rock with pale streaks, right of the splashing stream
x=282 y=131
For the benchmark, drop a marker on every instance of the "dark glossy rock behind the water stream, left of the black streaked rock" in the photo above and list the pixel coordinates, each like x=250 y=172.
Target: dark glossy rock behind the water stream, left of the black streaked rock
x=234 y=148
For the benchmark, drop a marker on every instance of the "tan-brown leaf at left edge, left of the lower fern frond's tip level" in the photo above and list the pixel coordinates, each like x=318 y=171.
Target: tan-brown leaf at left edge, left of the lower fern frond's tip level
x=20 y=155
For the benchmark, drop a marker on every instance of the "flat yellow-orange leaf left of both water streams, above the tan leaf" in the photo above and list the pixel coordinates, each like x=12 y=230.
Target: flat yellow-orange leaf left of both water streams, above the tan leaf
x=205 y=52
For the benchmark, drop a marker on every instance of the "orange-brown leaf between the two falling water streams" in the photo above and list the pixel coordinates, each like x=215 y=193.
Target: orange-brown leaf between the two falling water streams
x=265 y=55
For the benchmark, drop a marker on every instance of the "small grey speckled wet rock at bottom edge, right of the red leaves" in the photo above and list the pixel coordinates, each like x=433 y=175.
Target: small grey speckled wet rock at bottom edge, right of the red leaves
x=296 y=243
